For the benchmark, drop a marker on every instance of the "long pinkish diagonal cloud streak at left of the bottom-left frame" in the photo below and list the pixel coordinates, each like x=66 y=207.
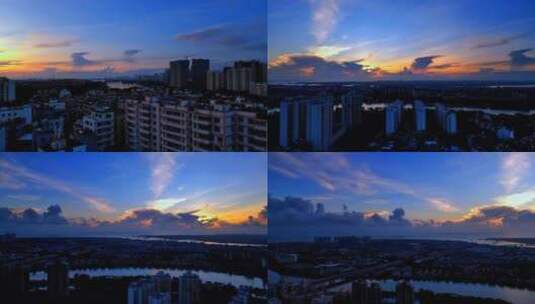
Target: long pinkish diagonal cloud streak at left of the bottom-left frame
x=21 y=175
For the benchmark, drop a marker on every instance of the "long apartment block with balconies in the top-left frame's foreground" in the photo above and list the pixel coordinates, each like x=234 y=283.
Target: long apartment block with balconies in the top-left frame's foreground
x=173 y=126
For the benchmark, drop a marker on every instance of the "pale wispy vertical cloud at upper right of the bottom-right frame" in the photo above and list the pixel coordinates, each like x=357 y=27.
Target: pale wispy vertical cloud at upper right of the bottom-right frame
x=514 y=168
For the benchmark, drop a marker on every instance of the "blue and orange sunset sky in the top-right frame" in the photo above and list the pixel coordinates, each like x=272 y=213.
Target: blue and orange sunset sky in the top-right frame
x=358 y=40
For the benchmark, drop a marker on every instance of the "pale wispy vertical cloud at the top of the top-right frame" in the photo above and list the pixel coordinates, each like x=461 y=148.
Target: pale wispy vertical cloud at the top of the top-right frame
x=324 y=18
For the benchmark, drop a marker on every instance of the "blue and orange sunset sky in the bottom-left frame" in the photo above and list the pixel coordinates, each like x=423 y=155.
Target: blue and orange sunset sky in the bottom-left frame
x=132 y=193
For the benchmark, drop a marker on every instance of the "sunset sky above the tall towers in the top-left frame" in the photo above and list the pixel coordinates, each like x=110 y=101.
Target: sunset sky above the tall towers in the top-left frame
x=87 y=39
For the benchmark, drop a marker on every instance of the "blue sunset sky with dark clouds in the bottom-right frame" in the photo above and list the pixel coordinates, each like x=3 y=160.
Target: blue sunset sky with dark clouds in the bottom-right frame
x=401 y=194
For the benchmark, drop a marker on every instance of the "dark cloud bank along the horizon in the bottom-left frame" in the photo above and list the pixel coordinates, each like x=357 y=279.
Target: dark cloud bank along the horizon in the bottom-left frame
x=31 y=222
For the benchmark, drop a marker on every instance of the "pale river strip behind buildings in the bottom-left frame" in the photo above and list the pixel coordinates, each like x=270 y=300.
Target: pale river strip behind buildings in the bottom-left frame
x=208 y=276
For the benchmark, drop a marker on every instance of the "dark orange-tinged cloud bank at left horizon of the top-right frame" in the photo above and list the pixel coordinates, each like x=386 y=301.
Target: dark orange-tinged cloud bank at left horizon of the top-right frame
x=304 y=67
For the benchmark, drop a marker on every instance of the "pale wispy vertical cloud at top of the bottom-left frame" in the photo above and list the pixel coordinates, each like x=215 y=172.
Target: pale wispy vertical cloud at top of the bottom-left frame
x=163 y=169
